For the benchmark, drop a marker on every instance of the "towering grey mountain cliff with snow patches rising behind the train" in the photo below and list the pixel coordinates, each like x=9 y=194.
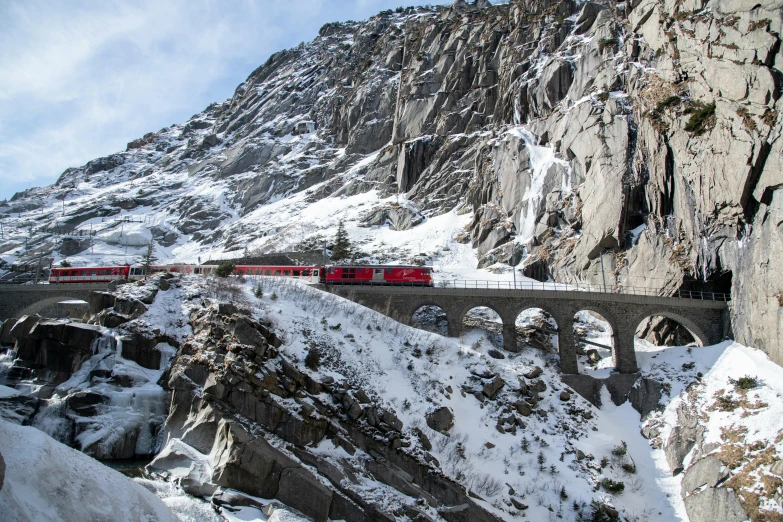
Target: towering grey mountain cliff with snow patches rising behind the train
x=643 y=134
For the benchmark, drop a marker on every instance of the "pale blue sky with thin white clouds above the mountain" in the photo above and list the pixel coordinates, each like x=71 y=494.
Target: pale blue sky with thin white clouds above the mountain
x=80 y=79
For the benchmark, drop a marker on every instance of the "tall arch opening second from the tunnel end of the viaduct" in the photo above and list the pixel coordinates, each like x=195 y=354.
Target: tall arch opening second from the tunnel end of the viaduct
x=595 y=337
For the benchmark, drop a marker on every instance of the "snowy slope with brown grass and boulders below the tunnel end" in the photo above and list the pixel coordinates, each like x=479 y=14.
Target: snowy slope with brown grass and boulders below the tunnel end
x=722 y=428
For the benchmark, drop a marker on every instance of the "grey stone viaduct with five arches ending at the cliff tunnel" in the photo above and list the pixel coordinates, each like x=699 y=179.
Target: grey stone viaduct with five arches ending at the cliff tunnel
x=705 y=319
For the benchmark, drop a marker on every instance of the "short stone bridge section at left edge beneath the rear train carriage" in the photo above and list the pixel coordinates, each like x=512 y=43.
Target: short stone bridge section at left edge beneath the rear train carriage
x=19 y=300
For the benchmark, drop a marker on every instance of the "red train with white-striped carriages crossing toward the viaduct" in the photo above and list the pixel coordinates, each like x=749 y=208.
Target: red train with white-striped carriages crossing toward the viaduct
x=330 y=274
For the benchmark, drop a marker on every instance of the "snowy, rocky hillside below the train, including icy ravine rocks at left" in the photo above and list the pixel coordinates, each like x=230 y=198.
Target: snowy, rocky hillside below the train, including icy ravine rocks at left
x=371 y=419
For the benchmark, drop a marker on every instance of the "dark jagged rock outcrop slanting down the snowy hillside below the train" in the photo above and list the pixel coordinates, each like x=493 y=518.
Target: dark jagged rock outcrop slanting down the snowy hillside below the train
x=245 y=417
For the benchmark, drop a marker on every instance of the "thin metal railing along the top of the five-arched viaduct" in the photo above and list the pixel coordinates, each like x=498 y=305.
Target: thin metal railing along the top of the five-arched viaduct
x=568 y=287
